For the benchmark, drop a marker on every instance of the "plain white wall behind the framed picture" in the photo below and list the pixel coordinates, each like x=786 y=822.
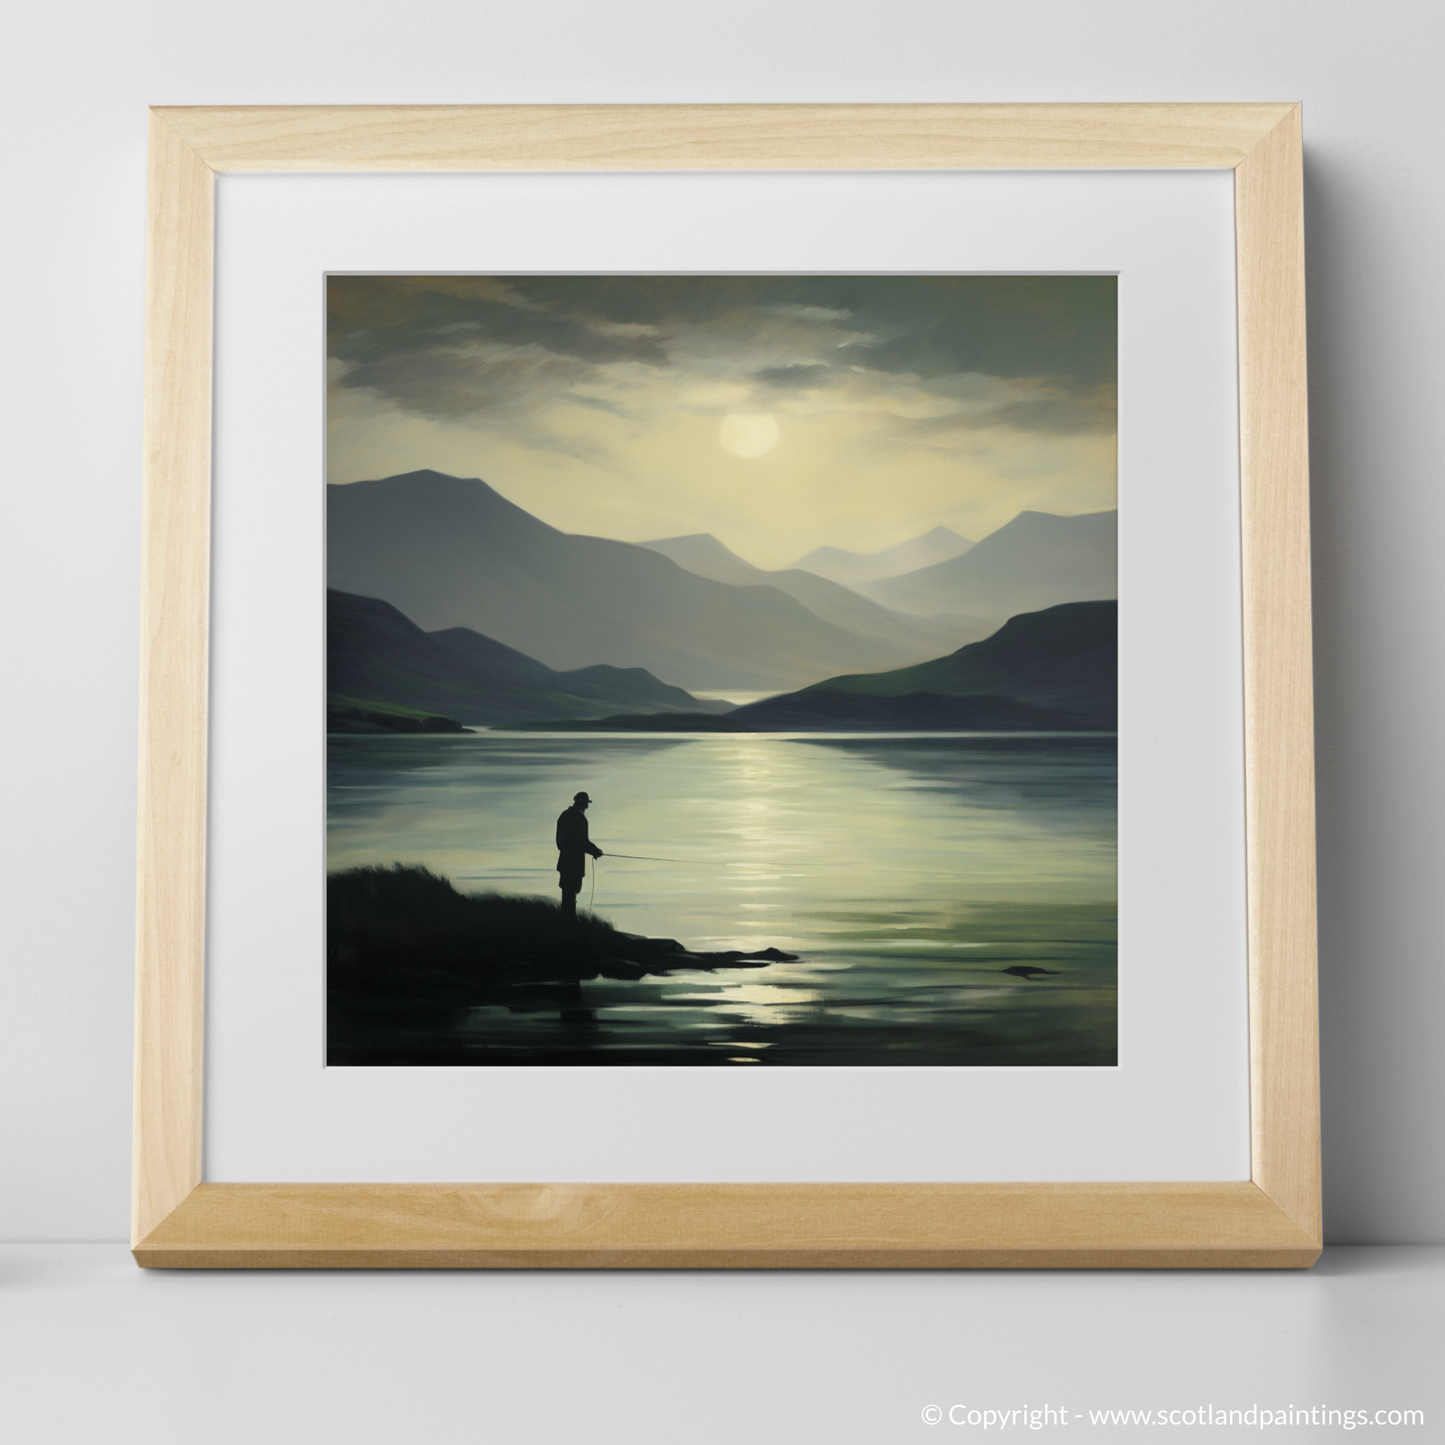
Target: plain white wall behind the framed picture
x=79 y=77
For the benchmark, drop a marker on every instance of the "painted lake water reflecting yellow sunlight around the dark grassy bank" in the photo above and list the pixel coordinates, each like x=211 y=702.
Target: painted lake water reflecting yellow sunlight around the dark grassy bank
x=952 y=900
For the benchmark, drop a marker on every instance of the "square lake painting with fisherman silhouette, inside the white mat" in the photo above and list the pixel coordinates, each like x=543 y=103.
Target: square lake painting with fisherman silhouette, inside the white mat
x=722 y=671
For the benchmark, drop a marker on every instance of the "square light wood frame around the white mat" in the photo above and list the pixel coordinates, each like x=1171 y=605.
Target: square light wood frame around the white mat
x=1269 y=1222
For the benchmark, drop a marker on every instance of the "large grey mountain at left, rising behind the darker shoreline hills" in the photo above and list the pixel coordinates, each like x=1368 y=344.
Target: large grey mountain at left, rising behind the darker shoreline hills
x=452 y=553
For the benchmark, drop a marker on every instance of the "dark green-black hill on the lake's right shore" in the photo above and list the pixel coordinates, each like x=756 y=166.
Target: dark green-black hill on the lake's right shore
x=1050 y=670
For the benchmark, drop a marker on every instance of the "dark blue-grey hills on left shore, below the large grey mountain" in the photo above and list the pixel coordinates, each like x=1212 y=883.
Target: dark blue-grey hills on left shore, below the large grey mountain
x=379 y=660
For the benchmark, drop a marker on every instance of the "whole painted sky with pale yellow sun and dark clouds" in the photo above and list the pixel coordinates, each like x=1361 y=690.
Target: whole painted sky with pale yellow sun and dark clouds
x=777 y=413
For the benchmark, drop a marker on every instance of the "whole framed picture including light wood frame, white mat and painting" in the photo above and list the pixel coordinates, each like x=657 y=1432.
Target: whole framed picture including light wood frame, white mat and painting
x=959 y=397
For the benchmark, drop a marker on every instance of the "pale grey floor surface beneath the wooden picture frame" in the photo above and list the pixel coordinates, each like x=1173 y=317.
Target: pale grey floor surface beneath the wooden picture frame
x=95 y=1350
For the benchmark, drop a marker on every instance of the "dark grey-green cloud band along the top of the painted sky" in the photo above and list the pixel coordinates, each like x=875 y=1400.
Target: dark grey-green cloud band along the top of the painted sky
x=478 y=346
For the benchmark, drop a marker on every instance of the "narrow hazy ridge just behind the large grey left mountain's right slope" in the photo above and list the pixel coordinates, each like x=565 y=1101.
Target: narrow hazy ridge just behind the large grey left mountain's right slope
x=706 y=557
